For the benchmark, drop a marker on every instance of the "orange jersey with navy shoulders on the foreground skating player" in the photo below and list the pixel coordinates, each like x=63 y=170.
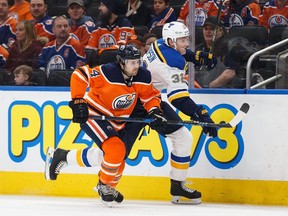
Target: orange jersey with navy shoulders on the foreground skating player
x=109 y=95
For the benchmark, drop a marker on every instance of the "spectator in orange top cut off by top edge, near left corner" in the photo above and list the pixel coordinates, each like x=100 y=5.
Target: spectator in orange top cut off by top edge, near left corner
x=21 y=10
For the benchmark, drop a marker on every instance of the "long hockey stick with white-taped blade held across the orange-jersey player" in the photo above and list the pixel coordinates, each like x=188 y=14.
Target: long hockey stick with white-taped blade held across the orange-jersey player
x=237 y=118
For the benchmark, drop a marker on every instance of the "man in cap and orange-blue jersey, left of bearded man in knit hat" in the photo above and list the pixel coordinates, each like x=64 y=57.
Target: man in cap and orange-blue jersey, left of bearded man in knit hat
x=81 y=25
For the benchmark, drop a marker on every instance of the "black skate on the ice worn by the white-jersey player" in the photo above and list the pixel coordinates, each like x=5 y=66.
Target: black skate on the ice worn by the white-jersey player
x=184 y=195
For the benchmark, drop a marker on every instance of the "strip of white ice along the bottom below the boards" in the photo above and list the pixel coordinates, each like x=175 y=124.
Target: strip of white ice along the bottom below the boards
x=62 y=206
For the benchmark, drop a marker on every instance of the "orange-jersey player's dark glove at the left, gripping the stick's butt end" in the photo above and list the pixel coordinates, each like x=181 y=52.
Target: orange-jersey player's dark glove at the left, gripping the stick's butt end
x=80 y=110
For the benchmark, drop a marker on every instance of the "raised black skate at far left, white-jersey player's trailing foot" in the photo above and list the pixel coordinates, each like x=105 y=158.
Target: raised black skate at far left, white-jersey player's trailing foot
x=59 y=160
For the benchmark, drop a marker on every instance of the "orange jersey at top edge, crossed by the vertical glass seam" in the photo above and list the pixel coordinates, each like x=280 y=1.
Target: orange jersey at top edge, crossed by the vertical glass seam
x=202 y=11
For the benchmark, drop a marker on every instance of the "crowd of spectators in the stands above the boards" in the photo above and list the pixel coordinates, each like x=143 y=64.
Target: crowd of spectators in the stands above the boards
x=50 y=35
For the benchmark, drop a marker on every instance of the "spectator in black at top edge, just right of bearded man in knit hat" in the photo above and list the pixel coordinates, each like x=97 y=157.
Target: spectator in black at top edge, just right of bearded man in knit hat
x=138 y=13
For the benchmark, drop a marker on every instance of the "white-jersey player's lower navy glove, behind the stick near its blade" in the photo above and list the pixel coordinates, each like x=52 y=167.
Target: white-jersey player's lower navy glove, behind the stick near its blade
x=202 y=115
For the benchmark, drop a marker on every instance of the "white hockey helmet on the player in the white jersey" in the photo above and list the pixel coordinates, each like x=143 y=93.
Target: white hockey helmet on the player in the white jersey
x=174 y=30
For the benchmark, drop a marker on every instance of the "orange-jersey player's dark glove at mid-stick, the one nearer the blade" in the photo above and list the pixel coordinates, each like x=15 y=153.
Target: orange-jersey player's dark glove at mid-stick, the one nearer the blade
x=159 y=122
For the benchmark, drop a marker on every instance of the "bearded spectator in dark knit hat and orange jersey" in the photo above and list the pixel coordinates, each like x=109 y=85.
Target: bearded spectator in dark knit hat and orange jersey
x=114 y=27
